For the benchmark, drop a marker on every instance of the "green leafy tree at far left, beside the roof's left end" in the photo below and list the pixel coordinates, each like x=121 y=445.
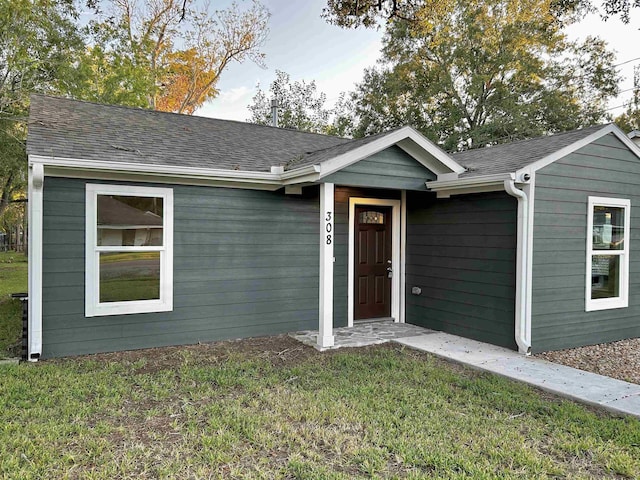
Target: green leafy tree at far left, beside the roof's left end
x=39 y=43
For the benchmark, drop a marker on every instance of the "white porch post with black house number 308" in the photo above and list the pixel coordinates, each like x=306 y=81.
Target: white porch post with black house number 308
x=325 y=333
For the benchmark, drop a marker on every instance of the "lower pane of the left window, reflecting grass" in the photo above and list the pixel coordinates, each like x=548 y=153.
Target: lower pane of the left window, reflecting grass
x=126 y=276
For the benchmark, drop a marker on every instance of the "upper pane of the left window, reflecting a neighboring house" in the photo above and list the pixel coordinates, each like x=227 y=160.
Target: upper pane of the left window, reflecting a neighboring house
x=124 y=220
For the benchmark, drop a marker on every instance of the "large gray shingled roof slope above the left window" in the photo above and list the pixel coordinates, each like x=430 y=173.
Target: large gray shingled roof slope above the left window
x=73 y=129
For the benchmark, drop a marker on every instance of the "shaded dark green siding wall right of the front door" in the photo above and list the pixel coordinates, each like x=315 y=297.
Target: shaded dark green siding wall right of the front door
x=462 y=253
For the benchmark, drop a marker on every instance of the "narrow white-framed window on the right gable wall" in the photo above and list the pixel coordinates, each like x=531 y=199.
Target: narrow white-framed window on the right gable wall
x=607 y=253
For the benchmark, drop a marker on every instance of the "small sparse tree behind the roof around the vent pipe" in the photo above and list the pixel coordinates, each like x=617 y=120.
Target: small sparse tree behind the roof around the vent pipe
x=301 y=107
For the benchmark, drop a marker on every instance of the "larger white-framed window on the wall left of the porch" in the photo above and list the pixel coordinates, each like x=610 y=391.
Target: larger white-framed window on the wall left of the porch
x=129 y=250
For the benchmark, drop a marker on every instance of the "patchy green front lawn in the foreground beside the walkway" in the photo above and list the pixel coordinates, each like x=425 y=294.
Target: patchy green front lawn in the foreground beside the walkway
x=272 y=408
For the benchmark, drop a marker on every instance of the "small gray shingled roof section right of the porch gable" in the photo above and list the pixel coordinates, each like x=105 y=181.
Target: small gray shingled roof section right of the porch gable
x=513 y=156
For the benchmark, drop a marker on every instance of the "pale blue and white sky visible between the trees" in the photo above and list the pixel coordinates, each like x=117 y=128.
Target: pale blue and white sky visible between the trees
x=306 y=47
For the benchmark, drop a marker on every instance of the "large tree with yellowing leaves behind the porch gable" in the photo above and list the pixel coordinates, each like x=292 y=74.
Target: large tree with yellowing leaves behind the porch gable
x=479 y=71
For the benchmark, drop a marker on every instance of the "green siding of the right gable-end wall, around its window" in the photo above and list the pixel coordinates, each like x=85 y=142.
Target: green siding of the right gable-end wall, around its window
x=605 y=168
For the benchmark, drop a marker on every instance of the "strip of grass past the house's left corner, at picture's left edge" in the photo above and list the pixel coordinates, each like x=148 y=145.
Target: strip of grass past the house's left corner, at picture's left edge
x=13 y=279
